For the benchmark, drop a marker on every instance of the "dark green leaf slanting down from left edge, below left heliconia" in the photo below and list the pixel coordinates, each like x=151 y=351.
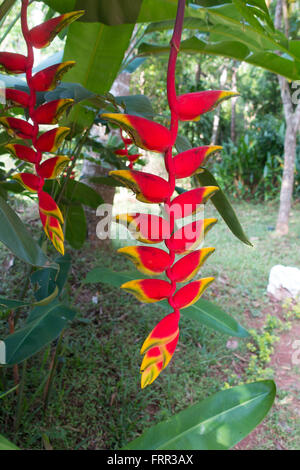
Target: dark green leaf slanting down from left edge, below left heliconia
x=17 y=239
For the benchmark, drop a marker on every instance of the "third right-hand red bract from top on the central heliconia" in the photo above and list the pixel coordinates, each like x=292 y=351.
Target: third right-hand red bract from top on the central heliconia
x=190 y=202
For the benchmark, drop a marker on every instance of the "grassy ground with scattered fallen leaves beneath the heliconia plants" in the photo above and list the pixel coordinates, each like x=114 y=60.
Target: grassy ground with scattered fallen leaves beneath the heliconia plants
x=96 y=401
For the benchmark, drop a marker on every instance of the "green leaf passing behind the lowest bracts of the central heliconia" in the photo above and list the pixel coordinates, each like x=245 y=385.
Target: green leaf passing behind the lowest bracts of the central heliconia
x=202 y=311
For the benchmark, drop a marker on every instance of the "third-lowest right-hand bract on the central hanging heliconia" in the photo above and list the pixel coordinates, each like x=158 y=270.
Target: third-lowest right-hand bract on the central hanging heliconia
x=190 y=236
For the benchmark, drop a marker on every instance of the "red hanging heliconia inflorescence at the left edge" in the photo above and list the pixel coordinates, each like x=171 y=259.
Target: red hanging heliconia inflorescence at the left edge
x=48 y=113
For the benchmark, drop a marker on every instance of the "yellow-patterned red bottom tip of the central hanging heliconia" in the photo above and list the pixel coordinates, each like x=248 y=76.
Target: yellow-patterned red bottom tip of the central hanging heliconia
x=159 y=348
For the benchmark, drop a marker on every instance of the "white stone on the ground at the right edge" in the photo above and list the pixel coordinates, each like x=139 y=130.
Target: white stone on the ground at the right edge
x=284 y=278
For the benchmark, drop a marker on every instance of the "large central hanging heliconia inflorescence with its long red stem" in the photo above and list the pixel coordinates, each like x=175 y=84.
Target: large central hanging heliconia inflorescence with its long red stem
x=161 y=343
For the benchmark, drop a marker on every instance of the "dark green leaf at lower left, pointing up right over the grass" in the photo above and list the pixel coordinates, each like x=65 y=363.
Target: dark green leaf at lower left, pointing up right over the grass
x=44 y=326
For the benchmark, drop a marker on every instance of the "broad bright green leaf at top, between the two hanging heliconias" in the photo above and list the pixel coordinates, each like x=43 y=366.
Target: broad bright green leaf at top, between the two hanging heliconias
x=98 y=51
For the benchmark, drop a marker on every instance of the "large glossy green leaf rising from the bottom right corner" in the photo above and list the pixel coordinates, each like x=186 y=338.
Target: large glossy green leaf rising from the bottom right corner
x=216 y=423
